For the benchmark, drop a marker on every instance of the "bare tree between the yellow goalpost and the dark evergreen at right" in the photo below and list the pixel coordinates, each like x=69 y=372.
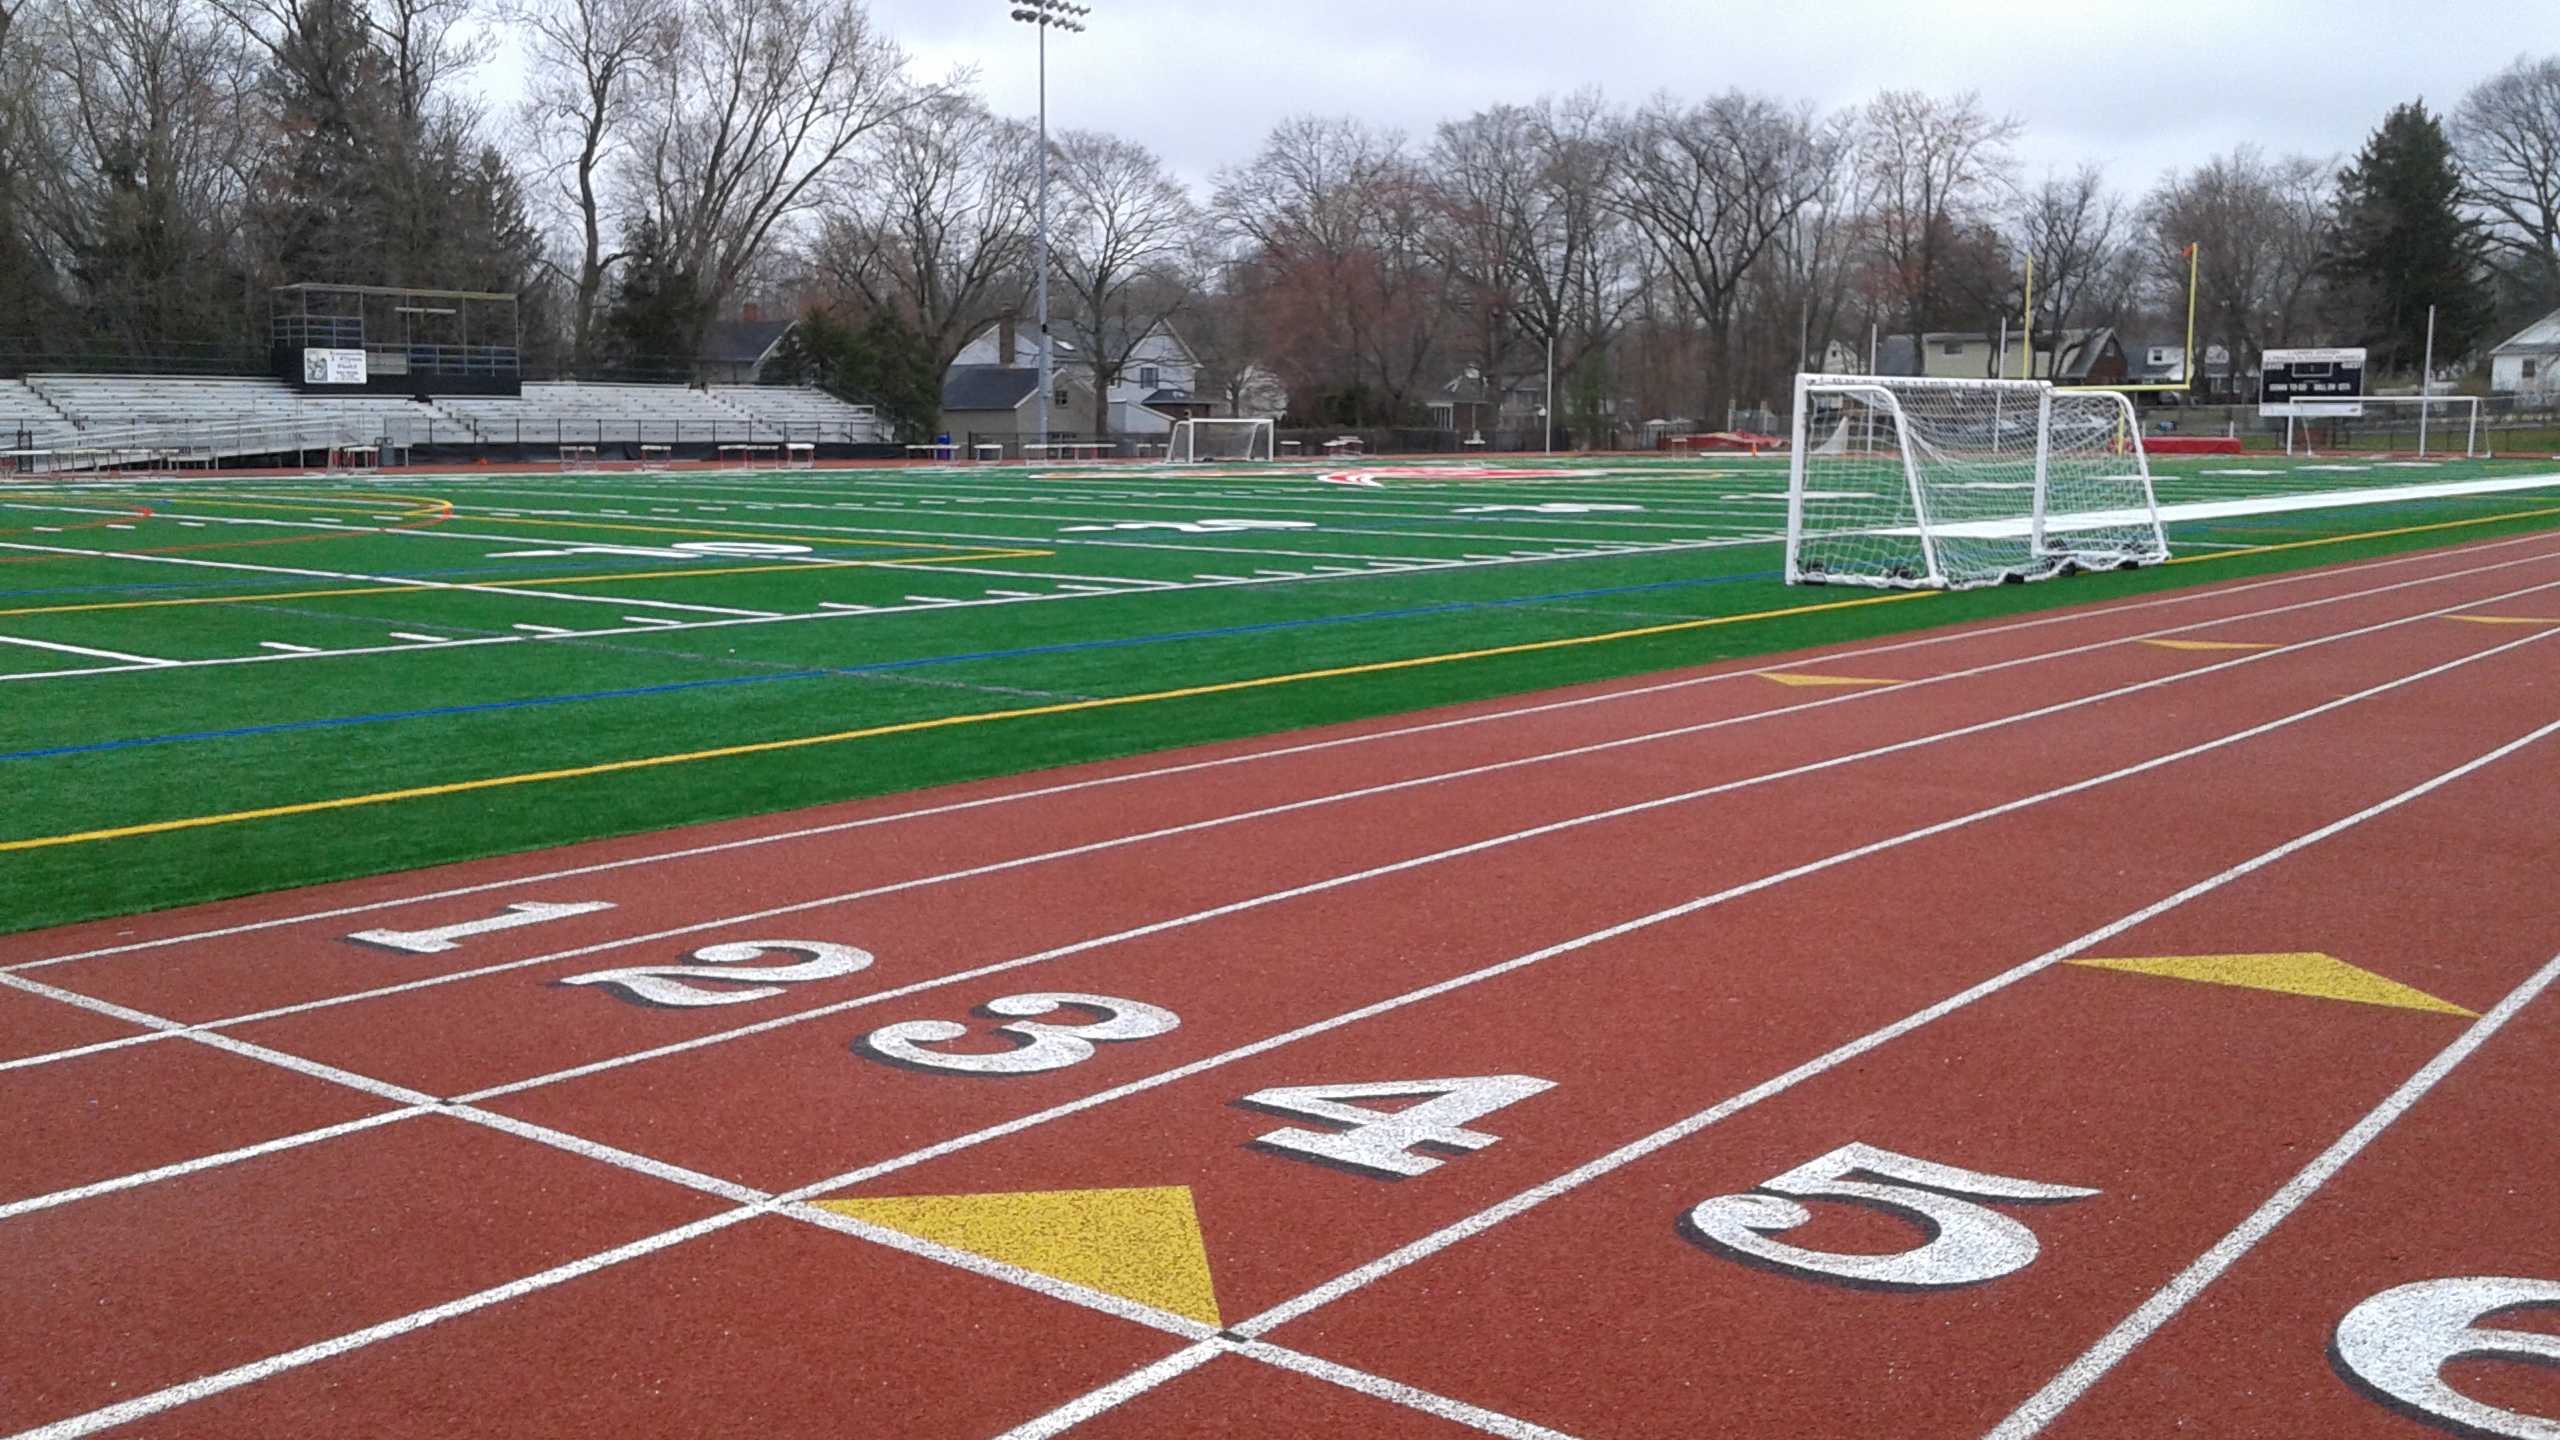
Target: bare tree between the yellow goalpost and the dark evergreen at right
x=2267 y=229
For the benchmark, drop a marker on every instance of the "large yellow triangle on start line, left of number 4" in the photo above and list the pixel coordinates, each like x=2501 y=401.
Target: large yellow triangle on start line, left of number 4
x=1135 y=1244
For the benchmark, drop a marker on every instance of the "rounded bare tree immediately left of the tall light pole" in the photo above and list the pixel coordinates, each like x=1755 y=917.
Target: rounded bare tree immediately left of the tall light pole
x=936 y=227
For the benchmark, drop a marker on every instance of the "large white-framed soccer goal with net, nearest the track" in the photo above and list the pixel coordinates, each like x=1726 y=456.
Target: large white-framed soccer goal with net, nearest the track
x=1960 y=483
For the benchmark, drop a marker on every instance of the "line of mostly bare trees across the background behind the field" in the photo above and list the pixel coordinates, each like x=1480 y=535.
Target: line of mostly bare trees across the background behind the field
x=675 y=163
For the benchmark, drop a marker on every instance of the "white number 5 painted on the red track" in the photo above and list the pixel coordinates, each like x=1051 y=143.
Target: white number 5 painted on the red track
x=1967 y=1241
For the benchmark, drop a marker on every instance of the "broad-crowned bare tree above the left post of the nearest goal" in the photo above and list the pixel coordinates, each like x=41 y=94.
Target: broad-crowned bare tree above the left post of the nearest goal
x=1711 y=188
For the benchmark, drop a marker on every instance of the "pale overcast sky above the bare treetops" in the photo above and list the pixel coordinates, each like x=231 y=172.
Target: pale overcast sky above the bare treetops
x=2141 y=88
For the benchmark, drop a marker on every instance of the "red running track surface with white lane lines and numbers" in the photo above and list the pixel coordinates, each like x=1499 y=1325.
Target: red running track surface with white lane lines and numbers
x=265 y=1180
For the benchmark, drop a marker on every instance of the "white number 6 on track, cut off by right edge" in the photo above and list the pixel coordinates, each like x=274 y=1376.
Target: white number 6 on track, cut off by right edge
x=2400 y=1344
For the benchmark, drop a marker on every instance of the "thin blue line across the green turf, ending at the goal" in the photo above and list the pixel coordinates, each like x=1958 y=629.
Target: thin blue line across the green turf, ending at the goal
x=877 y=667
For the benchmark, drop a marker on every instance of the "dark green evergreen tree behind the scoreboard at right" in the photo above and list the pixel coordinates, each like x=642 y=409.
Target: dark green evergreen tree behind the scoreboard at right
x=2405 y=245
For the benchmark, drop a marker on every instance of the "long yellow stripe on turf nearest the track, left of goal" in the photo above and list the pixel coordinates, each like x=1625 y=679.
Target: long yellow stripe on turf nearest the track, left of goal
x=938 y=724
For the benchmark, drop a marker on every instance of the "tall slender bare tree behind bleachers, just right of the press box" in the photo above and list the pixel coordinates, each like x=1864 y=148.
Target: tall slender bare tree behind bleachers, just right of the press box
x=590 y=65
